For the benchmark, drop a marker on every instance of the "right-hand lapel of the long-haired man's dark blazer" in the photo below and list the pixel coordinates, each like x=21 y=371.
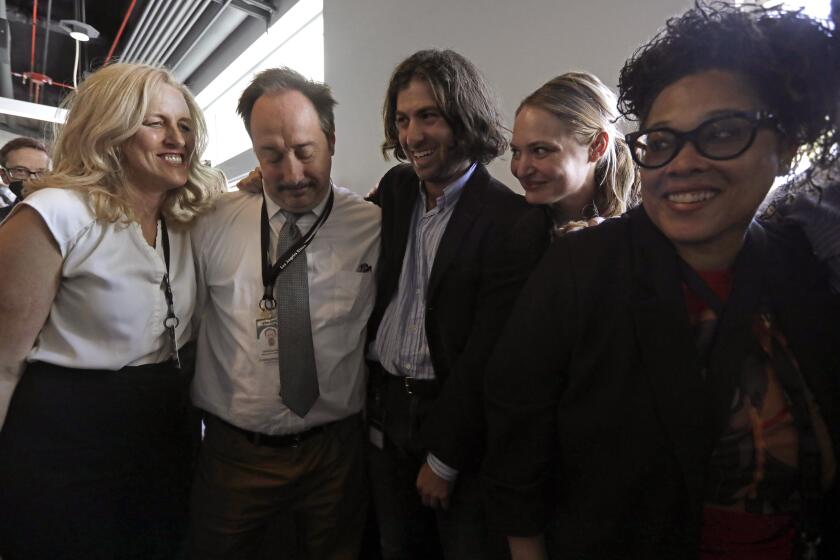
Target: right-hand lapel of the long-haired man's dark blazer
x=467 y=210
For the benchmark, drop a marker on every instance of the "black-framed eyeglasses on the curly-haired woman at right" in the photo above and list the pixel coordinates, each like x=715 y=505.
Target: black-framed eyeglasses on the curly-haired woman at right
x=720 y=138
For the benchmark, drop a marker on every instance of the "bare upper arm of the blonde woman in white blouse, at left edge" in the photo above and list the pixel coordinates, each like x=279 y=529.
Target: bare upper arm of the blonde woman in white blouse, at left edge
x=29 y=280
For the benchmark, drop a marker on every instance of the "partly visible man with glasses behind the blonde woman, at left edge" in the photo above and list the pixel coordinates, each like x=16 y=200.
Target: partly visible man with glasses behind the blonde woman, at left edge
x=21 y=159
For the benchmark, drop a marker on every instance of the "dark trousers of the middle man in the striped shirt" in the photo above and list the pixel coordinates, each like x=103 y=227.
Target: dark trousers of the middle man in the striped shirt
x=408 y=529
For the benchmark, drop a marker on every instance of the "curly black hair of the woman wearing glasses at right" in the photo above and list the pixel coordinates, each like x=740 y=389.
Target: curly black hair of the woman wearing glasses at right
x=791 y=61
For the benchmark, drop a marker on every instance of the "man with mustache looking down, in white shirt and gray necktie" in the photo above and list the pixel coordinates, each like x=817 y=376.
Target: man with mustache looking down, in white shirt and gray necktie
x=286 y=285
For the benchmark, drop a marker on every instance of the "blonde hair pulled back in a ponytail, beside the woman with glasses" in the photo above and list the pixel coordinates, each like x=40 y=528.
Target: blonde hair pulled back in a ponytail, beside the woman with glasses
x=588 y=107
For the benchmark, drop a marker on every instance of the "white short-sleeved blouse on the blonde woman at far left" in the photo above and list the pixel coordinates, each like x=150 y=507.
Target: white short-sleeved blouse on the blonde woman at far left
x=110 y=306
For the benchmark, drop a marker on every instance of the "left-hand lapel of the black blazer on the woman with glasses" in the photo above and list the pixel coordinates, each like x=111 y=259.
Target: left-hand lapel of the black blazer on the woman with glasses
x=667 y=347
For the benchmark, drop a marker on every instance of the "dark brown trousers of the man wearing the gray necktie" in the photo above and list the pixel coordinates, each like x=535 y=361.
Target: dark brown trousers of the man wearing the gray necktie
x=241 y=490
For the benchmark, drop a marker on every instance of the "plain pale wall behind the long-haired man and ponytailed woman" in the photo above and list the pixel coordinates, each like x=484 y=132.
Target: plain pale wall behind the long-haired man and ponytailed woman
x=517 y=44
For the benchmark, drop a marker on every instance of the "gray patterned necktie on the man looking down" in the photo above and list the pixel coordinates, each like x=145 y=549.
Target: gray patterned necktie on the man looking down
x=298 y=374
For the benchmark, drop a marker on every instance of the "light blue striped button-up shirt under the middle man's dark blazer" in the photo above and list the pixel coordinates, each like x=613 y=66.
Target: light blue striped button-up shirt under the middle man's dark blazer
x=401 y=345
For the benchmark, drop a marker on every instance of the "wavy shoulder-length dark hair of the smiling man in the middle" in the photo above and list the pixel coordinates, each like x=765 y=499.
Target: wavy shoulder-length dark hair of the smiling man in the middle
x=466 y=101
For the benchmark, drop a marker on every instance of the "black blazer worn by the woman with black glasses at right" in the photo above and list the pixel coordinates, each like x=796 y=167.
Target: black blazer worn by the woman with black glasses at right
x=600 y=423
